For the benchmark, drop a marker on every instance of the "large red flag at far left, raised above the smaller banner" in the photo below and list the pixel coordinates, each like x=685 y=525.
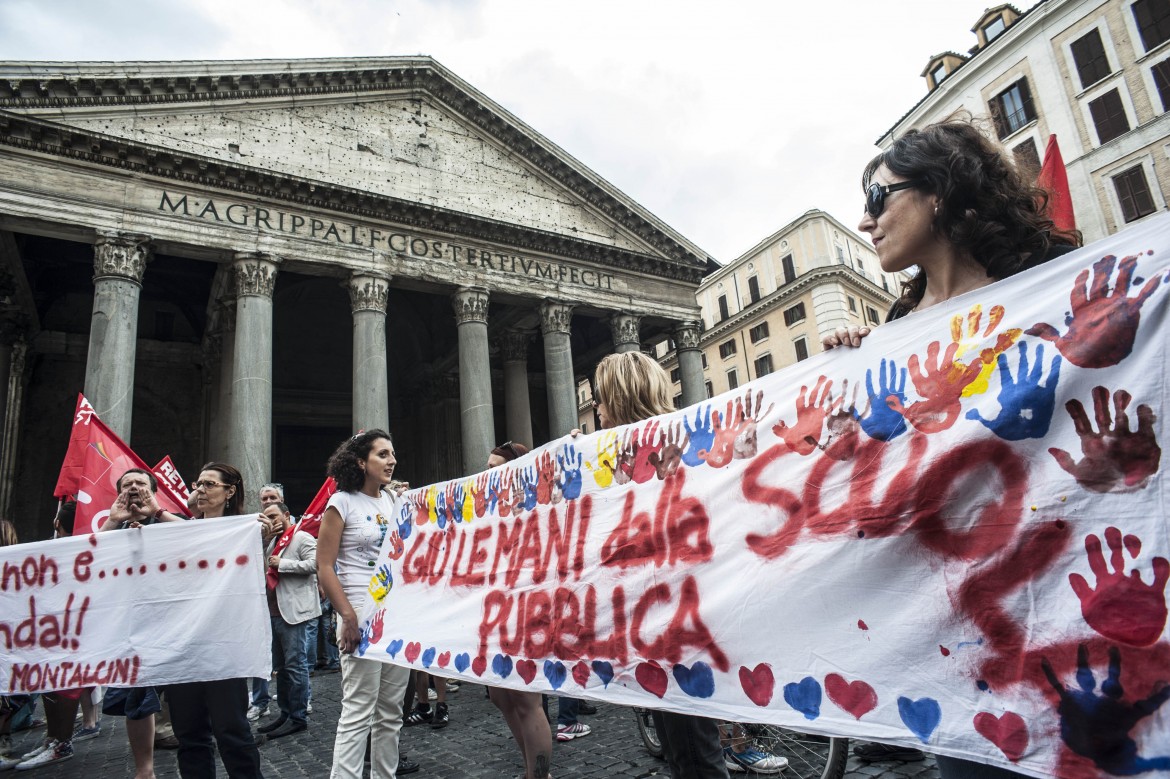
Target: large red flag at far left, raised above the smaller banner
x=94 y=461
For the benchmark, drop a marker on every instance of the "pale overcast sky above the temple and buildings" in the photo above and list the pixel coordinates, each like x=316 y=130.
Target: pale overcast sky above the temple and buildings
x=726 y=120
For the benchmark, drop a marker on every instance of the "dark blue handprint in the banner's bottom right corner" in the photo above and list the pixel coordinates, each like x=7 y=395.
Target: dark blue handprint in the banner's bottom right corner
x=1097 y=726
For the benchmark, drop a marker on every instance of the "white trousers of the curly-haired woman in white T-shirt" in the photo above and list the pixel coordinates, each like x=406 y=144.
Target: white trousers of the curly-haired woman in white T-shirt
x=371 y=701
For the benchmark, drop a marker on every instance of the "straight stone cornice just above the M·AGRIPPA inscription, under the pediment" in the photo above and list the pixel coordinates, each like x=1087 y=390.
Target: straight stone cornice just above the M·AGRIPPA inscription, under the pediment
x=194 y=170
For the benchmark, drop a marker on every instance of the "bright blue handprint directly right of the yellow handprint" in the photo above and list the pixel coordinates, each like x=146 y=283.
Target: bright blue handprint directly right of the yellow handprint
x=1026 y=404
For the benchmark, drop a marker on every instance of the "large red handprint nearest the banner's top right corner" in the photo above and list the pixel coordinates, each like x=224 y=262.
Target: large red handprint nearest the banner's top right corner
x=1103 y=325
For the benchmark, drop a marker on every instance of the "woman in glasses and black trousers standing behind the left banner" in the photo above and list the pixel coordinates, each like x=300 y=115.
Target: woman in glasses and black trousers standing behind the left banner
x=201 y=711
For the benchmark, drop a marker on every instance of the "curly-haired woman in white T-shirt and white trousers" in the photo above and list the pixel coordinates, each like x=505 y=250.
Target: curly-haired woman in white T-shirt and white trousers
x=353 y=529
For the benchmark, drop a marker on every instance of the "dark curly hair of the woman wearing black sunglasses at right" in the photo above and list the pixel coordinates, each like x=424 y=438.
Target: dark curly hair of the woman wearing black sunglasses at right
x=987 y=206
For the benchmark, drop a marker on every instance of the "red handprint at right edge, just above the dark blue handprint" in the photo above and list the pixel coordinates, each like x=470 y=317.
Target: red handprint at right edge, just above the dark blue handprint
x=1123 y=609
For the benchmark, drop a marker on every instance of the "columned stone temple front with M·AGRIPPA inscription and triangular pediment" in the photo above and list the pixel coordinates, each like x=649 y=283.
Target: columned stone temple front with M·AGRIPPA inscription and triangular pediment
x=249 y=261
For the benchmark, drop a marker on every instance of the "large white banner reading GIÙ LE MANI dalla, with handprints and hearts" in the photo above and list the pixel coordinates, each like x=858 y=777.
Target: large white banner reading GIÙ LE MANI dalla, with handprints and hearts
x=953 y=537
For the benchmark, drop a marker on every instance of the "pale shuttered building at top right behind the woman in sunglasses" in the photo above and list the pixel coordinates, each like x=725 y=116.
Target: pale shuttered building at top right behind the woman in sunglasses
x=1095 y=73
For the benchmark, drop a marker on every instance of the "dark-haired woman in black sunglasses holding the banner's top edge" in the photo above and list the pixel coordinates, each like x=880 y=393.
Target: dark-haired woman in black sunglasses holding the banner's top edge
x=948 y=201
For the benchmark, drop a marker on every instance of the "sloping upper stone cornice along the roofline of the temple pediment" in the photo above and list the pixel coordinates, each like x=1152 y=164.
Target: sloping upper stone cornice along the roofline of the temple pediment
x=54 y=87
